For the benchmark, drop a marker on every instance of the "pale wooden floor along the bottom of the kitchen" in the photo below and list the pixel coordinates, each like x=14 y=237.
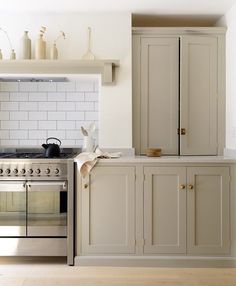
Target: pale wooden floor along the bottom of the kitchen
x=29 y=273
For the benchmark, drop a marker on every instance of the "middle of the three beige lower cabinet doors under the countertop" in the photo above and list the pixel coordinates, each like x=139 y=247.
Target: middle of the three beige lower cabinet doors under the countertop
x=164 y=210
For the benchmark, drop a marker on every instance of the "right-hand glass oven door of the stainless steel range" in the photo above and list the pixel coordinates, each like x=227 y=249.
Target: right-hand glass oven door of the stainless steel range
x=47 y=208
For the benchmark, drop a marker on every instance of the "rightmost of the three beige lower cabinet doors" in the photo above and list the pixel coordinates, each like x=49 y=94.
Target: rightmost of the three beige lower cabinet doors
x=208 y=210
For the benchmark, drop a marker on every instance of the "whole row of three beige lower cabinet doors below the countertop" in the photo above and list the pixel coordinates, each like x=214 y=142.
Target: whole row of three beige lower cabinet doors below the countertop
x=172 y=210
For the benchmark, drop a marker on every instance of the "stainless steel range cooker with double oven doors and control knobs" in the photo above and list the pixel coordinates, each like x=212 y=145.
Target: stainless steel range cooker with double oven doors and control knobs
x=37 y=204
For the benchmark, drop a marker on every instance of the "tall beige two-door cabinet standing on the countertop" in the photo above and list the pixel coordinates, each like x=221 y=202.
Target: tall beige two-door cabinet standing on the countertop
x=178 y=90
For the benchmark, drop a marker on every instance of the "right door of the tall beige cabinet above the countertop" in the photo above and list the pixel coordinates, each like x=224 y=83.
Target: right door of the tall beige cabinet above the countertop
x=198 y=95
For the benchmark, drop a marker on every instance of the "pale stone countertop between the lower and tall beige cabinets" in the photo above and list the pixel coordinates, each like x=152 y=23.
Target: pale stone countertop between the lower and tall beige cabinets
x=170 y=159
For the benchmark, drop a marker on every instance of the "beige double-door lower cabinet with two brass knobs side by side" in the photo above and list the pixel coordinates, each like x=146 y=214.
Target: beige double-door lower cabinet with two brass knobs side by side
x=202 y=227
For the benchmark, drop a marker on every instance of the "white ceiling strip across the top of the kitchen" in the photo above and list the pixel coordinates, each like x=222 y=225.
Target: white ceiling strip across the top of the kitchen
x=157 y=7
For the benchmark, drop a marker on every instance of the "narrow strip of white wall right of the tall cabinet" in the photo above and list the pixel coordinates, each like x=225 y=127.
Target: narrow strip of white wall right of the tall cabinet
x=229 y=21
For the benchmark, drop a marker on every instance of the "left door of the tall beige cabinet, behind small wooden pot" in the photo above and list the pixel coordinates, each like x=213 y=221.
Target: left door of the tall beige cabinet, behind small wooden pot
x=159 y=94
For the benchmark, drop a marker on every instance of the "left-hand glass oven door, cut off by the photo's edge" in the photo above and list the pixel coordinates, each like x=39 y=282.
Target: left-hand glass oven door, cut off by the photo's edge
x=12 y=208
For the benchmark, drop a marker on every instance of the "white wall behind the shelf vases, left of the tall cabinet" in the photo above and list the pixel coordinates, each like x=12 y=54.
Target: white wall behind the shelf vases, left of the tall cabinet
x=111 y=38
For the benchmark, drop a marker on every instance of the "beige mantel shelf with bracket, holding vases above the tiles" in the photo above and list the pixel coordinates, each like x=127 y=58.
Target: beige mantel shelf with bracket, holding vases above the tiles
x=20 y=67
